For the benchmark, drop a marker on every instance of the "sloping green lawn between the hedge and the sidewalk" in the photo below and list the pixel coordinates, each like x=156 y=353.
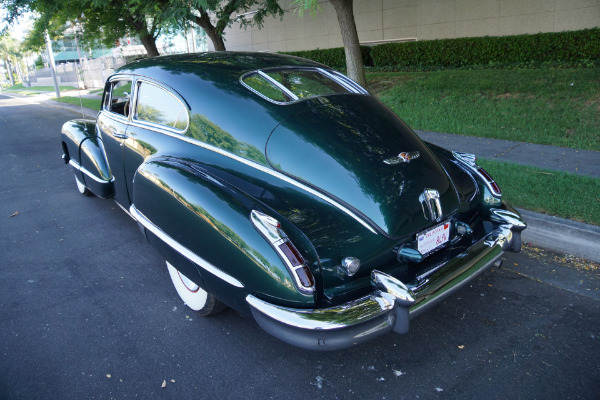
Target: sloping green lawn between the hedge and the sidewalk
x=558 y=107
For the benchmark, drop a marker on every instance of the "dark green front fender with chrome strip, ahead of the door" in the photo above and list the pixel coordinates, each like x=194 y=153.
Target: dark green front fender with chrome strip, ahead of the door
x=83 y=150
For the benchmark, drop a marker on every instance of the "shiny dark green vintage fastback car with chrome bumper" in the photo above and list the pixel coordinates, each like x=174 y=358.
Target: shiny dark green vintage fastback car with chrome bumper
x=281 y=188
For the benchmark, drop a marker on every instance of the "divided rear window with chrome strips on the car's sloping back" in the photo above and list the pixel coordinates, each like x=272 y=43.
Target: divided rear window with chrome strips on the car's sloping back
x=292 y=84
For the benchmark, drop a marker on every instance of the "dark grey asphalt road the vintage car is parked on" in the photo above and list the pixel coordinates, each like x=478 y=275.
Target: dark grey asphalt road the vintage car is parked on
x=87 y=310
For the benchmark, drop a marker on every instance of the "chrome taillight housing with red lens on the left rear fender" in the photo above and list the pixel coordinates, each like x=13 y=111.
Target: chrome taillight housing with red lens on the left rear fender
x=271 y=230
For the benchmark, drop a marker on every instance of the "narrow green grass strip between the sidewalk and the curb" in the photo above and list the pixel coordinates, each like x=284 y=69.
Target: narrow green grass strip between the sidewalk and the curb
x=550 y=192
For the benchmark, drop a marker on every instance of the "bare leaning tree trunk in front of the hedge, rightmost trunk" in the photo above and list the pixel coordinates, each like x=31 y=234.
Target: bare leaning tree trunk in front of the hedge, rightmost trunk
x=354 y=61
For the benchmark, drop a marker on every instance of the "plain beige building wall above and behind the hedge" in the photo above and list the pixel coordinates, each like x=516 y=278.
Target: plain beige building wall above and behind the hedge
x=391 y=20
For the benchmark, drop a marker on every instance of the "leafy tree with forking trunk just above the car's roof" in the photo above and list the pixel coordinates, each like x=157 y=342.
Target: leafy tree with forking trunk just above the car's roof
x=223 y=15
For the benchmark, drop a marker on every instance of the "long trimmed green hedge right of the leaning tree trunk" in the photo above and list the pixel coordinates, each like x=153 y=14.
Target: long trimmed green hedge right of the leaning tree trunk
x=566 y=47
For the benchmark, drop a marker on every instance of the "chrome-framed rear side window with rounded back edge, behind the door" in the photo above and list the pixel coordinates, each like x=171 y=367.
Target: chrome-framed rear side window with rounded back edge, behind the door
x=158 y=106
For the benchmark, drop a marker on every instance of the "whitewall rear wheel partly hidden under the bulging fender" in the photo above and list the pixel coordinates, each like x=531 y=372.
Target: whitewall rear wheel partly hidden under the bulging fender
x=193 y=296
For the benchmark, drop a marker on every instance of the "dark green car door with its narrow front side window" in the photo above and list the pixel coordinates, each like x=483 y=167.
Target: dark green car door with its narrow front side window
x=112 y=125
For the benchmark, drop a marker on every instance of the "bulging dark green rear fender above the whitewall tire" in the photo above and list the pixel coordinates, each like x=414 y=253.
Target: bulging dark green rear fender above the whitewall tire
x=203 y=226
